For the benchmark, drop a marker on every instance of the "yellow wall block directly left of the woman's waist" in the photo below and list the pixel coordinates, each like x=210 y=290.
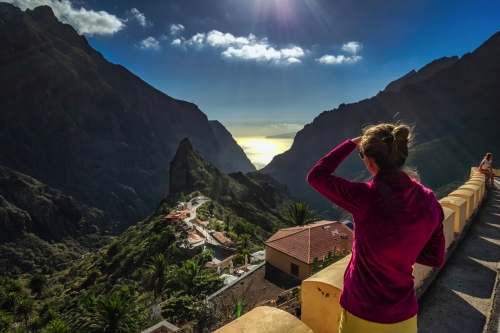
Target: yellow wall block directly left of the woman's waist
x=320 y=298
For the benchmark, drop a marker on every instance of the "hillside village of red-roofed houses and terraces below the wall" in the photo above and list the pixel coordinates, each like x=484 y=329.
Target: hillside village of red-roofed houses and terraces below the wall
x=271 y=276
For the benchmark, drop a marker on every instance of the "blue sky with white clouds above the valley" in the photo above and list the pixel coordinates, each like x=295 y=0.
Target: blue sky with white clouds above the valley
x=262 y=62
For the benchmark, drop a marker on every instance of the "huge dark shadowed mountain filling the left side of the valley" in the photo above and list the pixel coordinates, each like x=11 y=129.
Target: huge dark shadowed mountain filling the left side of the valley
x=90 y=128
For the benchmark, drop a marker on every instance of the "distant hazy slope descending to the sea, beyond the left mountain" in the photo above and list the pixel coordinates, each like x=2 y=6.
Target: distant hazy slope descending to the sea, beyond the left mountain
x=233 y=157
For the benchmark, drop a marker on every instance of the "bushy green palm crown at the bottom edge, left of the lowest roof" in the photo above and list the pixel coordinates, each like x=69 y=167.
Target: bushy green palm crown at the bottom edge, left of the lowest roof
x=112 y=313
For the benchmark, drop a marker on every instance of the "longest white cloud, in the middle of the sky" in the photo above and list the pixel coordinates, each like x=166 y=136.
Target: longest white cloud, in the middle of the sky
x=246 y=48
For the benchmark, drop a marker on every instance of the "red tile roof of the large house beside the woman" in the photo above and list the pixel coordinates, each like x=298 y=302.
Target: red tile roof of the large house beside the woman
x=310 y=241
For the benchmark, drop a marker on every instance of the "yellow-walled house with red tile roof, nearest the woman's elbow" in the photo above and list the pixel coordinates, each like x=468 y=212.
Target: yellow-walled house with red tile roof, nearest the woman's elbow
x=293 y=250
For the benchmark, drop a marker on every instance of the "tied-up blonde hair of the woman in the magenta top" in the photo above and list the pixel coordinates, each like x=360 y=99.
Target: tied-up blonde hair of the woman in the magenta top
x=387 y=144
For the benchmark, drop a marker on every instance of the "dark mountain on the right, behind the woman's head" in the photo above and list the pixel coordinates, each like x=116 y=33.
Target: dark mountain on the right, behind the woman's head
x=456 y=112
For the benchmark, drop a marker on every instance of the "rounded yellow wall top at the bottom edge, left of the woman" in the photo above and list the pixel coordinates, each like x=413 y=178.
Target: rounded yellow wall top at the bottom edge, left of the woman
x=265 y=319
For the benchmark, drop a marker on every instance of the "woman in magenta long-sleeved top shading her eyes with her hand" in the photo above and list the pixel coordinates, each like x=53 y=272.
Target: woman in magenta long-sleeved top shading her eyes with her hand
x=398 y=223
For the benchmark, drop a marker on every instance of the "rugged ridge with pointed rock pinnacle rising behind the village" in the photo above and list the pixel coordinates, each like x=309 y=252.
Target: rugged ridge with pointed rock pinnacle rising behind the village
x=253 y=196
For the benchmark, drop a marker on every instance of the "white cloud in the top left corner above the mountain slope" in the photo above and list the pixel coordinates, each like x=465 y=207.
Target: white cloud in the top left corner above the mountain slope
x=87 y=22
